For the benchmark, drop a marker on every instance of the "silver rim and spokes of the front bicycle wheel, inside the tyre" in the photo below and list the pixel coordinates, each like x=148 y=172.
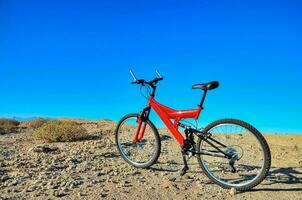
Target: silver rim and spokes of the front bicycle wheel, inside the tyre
x=142 y=152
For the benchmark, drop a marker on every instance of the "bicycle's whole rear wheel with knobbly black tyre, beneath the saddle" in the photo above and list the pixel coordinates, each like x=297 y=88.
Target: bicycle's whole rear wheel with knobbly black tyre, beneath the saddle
x=248 y=157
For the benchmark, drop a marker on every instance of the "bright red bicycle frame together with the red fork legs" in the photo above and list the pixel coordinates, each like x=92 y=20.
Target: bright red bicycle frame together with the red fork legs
x=167 y=114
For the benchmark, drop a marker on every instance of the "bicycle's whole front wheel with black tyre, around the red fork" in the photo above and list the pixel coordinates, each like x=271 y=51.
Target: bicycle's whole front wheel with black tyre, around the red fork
x=138 y=141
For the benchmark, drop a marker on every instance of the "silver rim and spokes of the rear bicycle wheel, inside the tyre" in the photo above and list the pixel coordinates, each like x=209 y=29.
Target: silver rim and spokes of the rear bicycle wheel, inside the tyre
x=240 y=141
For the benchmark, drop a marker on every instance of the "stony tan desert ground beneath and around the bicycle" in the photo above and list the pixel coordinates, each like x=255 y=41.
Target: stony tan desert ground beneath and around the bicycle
x=93 y=169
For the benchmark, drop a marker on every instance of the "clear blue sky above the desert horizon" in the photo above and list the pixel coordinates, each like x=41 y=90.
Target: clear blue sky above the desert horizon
x=71 y=58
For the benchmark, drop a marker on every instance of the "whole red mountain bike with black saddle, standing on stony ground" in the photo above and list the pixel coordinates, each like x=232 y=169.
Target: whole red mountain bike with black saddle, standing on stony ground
x=232 y=153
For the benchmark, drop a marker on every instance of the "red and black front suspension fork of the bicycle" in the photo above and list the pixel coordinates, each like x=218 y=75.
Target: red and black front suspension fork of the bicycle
x=142 y=123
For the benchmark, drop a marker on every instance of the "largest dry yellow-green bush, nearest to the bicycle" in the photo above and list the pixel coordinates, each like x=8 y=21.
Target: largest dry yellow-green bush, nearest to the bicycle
x=60 y=131
